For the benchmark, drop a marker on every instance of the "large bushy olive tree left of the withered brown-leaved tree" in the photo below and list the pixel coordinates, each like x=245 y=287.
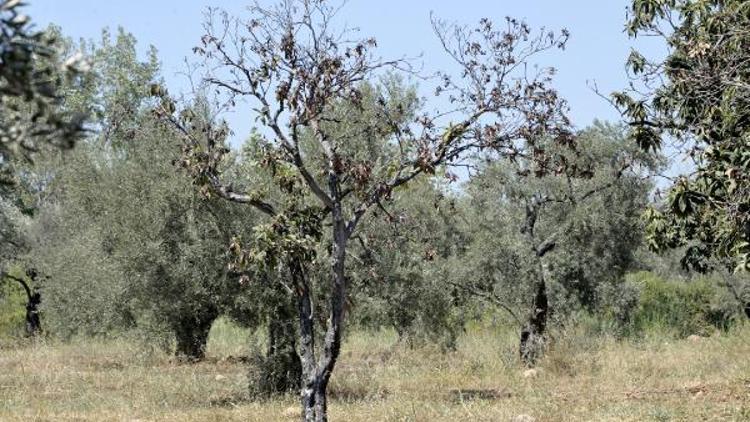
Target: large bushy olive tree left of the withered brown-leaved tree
x=126 y=239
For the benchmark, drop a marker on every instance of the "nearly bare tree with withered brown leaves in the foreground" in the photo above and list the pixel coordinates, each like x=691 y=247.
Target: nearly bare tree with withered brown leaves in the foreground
x=294 y=68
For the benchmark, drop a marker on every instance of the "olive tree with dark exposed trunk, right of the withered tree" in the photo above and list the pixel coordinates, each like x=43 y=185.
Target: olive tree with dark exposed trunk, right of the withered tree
x=550 y=244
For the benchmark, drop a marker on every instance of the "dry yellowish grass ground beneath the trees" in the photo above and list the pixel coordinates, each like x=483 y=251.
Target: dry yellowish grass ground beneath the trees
x=379 y=380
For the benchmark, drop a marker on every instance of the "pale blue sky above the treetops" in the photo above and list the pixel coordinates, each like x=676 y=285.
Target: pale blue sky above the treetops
x=596 y=52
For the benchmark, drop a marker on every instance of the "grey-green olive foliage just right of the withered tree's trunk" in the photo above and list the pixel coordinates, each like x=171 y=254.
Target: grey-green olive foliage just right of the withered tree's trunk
x=401 y=256
